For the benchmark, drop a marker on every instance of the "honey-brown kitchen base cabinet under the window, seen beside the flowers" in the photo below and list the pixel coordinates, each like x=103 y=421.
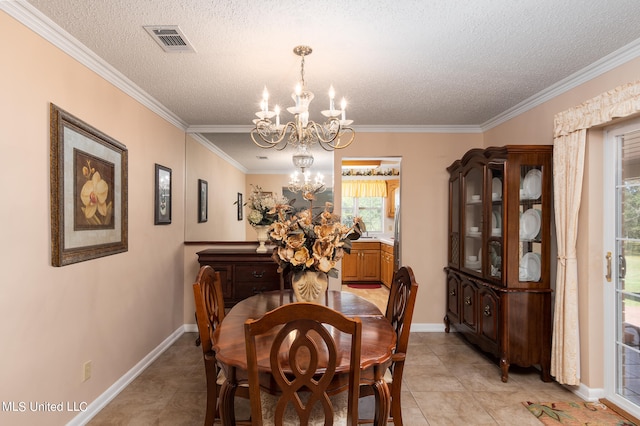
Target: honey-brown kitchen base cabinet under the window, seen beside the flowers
x=363 y=263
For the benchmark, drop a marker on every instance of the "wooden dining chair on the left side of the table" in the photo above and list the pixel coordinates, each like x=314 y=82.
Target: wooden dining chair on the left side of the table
x=209 y=301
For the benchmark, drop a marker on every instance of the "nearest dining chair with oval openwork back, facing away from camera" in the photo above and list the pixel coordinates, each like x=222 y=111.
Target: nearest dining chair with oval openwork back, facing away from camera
x=303 y=357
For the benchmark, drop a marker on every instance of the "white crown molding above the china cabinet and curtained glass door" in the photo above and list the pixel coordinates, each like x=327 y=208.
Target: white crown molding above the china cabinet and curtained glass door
x=614 y=59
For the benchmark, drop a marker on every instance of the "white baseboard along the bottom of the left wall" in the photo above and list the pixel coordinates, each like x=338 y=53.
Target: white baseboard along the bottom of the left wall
x=106 y=397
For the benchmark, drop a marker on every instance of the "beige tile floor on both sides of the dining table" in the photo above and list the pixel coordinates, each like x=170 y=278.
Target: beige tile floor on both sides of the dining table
x=446 y=382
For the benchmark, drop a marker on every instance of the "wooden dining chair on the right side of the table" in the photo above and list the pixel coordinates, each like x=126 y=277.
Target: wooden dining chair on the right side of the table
x=402 y=298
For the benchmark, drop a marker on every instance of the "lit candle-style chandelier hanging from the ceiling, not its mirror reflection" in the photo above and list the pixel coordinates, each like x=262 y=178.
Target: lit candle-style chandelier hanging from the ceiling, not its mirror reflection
x=302 y=133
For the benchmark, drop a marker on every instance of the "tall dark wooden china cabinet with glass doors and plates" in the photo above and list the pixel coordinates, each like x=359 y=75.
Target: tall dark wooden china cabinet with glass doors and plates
x=499 y=253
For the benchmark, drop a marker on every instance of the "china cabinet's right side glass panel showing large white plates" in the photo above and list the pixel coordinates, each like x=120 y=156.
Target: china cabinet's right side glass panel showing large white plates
x=530 y=225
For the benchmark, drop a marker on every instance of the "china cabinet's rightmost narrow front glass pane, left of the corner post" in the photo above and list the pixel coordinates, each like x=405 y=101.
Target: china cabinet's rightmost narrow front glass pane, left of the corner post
x=495 y=242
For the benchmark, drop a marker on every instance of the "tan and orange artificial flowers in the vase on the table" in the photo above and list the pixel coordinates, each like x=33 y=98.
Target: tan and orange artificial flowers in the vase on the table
x=307 y=242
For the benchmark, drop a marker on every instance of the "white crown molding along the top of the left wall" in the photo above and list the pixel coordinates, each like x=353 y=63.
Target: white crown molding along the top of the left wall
x=35 y=20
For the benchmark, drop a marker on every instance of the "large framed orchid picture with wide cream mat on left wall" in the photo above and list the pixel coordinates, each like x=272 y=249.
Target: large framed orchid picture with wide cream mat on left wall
x=88 y=186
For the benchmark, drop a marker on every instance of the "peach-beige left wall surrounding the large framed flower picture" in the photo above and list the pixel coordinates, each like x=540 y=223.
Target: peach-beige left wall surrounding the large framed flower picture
x=114 y=310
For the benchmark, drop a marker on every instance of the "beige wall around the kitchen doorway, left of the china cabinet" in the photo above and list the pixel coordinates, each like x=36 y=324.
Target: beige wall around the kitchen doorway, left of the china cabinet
x=424 y=204
